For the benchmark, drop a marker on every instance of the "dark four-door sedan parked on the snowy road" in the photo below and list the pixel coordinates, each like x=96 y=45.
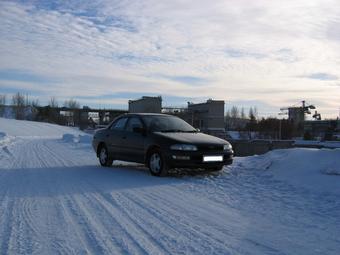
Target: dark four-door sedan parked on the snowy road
x=162 y=142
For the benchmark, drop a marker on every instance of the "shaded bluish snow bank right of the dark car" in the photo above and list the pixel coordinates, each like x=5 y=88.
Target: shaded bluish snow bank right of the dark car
x=314 y=169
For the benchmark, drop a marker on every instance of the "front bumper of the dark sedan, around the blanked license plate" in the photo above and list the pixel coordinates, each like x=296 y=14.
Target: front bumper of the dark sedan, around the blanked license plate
x=194 y=159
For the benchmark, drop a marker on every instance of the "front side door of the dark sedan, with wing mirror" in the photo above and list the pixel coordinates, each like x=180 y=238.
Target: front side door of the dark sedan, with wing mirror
x=133 y=145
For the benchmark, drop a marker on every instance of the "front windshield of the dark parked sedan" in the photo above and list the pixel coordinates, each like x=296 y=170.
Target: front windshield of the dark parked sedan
x=167 y=124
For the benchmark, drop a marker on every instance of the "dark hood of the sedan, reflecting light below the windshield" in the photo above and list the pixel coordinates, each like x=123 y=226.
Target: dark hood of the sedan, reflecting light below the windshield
x=192 y=138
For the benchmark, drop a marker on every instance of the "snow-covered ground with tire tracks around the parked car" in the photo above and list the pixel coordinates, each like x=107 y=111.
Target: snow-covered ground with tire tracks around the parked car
x=55 y=199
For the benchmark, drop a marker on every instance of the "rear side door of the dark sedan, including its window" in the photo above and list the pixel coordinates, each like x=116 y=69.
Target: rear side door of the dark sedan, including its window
x=114 y=137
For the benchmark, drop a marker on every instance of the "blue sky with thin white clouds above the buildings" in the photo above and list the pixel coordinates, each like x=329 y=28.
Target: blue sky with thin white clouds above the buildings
x=265 y=53
